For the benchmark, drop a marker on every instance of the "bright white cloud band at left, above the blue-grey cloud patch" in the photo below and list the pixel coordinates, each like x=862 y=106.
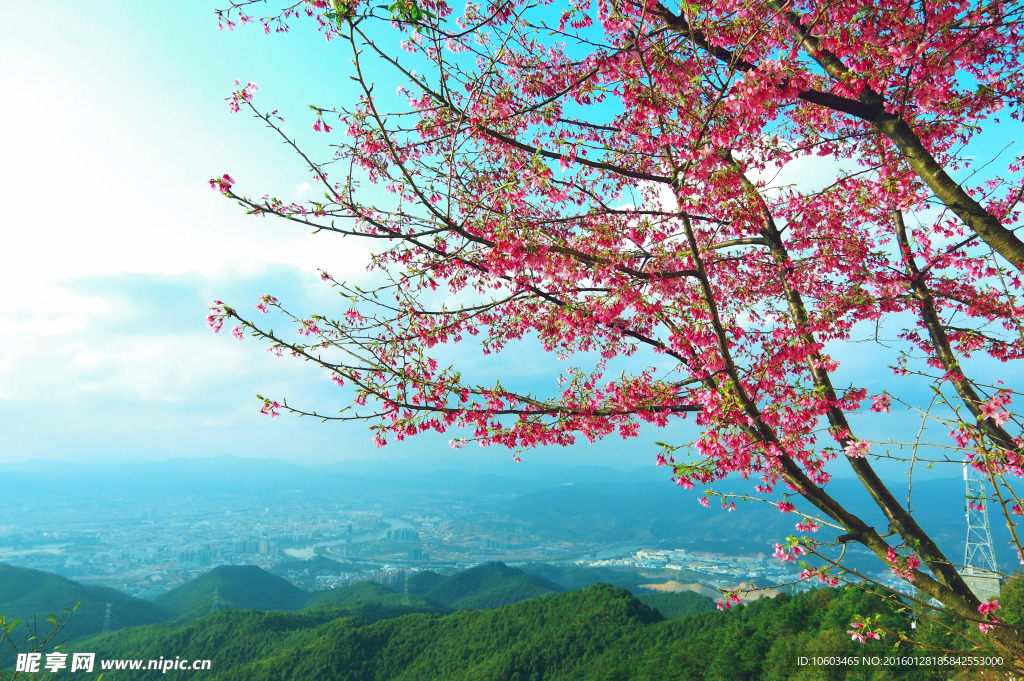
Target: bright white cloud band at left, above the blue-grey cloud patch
x=70 y=217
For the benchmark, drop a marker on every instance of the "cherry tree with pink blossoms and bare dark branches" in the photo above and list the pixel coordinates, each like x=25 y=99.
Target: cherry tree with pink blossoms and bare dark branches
x=609 y=179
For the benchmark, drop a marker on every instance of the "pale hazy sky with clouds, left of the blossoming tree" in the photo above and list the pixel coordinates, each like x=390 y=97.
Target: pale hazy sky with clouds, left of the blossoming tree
x=114 y=244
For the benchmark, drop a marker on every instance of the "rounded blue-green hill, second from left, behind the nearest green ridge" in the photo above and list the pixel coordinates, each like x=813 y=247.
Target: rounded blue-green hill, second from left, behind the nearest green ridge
x=237 y=587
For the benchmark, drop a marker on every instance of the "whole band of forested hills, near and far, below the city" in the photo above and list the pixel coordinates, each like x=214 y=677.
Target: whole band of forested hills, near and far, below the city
x=267 y=629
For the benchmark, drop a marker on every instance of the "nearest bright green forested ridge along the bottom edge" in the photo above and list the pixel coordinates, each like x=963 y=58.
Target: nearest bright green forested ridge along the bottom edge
x=599 y=633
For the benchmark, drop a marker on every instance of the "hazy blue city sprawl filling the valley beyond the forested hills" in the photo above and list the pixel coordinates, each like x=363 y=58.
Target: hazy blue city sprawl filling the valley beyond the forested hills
x=145 y=551
